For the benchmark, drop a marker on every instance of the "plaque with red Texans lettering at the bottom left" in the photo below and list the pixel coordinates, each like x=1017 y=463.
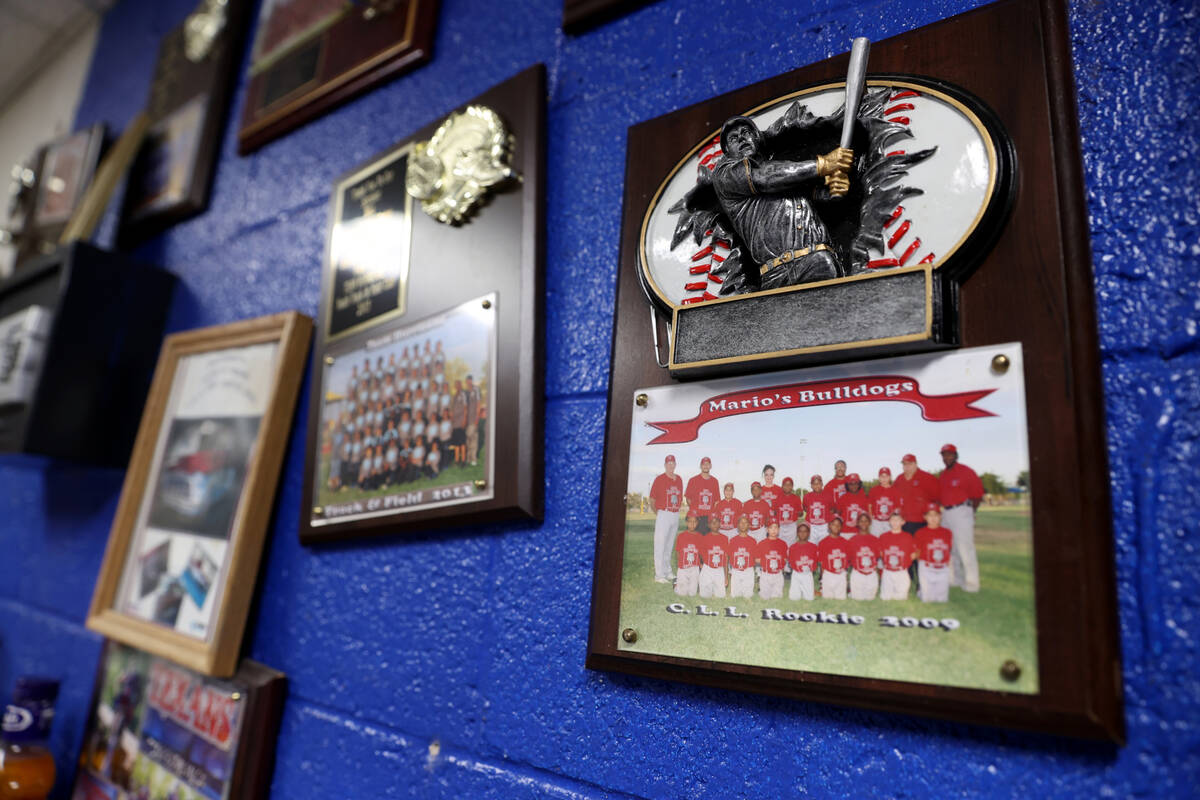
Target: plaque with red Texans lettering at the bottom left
x=160 y=732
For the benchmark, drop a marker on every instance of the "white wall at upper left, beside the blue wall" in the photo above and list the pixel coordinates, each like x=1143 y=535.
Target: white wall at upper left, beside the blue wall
x=44 y=111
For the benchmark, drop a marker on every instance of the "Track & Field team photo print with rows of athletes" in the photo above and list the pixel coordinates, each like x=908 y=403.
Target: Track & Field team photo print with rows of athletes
x=405 y=423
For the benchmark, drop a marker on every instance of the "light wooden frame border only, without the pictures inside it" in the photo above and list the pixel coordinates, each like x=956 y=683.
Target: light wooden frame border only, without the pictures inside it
x=219 y=653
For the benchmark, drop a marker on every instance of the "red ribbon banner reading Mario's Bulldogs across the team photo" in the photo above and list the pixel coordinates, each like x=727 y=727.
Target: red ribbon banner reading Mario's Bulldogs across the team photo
x=935 y=408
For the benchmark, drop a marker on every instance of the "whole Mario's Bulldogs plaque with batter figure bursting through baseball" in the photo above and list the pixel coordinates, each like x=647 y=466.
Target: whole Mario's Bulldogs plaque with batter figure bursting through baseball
x=855 y=275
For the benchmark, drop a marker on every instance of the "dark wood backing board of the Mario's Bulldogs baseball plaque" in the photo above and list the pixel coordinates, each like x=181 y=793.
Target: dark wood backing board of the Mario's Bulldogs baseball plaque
x=1034 y=288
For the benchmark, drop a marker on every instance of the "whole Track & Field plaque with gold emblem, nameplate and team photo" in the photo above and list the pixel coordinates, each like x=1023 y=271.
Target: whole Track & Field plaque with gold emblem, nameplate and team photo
x=427 y=405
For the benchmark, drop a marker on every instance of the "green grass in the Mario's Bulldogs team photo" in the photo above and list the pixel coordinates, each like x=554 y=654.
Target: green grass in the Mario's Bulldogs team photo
x=995 y=624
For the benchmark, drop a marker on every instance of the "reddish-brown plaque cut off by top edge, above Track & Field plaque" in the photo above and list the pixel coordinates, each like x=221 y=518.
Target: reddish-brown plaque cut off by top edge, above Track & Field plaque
x=311 y=56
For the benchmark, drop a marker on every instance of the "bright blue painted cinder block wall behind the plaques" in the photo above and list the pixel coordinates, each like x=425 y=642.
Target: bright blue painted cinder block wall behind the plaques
x=452 y=665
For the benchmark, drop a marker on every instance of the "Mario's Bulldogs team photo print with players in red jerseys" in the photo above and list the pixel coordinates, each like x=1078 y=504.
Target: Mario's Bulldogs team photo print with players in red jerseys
x=866 y=520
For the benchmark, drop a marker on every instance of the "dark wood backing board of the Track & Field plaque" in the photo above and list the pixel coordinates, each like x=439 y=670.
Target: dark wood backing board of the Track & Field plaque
x=441 y=278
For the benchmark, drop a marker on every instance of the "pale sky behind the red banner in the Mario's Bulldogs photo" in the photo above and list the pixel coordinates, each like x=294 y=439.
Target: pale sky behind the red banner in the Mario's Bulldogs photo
x=802 y=442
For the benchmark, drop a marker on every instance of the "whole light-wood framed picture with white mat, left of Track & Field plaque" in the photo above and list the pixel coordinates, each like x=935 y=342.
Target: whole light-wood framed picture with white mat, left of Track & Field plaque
x=183 y=558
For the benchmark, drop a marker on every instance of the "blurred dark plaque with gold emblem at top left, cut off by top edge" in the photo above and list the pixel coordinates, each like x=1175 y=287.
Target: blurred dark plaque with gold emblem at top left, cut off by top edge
x=189 y=104
